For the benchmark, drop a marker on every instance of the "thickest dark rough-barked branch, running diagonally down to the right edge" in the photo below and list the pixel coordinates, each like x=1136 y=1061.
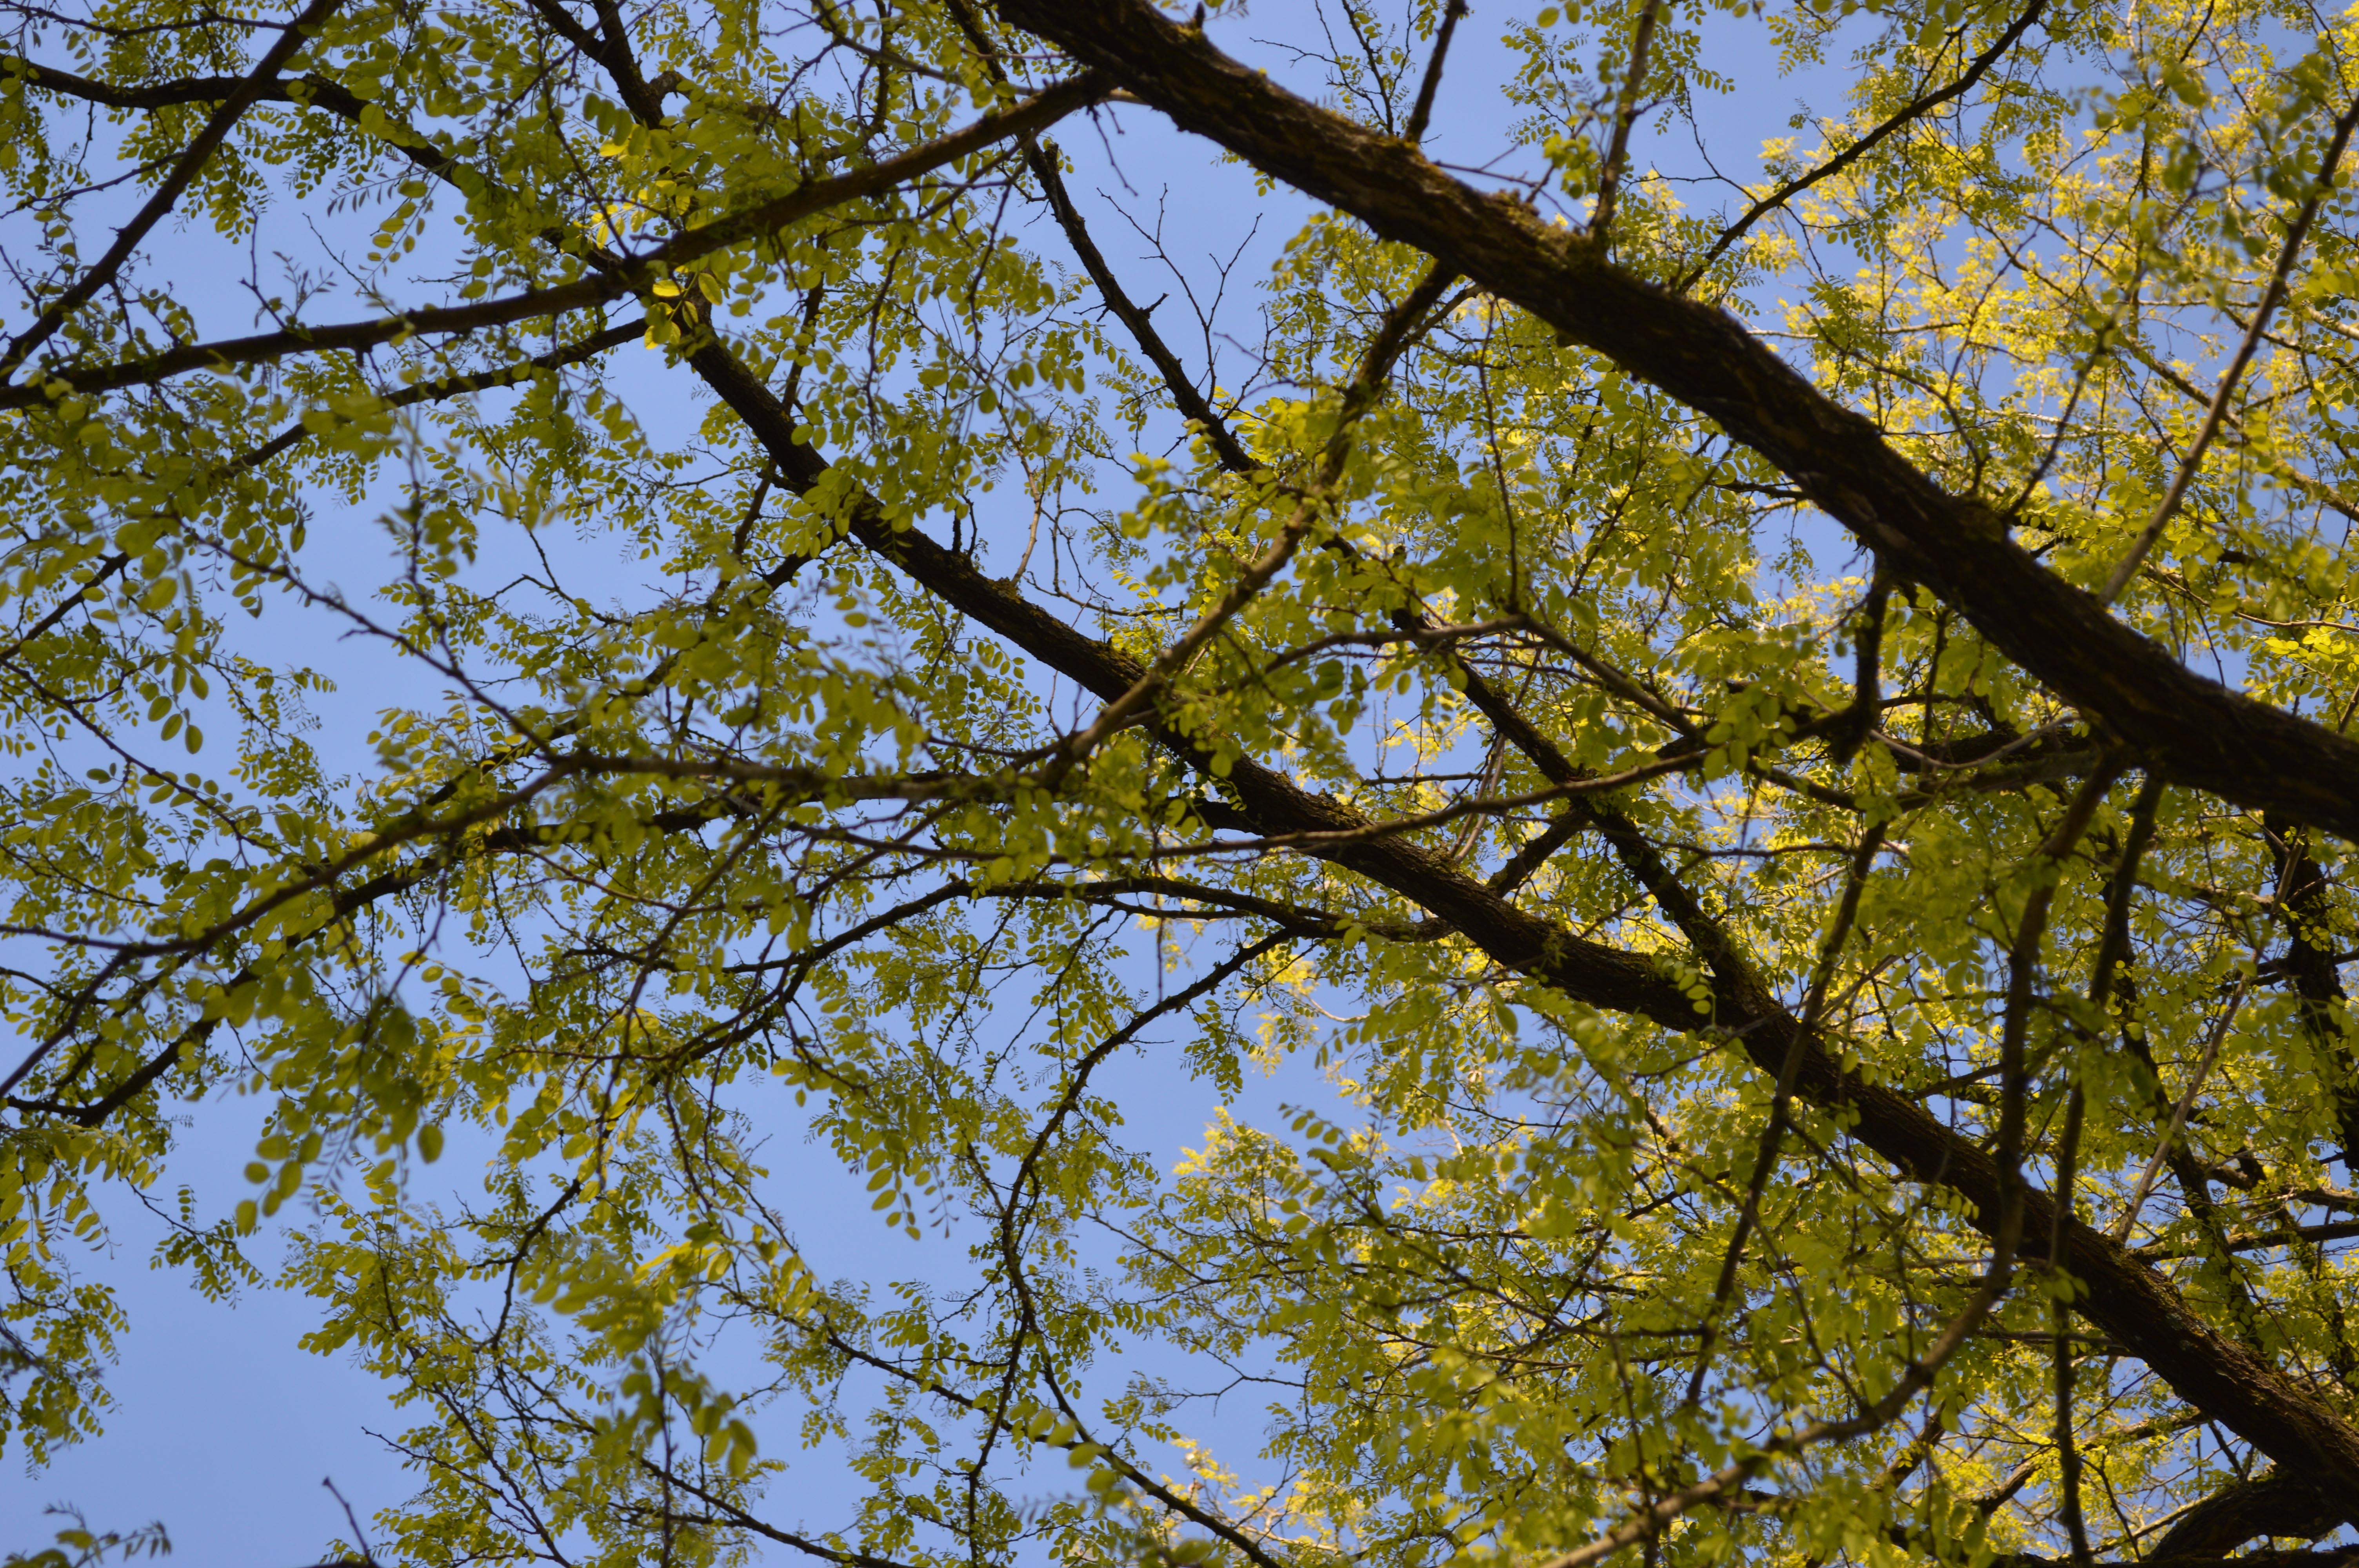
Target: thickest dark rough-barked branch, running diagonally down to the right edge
x=2197 y=732
